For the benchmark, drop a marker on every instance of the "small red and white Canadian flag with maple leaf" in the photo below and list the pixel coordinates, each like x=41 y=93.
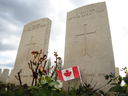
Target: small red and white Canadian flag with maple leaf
x=68 y=74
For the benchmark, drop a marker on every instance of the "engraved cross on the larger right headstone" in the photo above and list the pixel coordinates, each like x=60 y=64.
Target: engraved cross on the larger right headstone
x=85 y=33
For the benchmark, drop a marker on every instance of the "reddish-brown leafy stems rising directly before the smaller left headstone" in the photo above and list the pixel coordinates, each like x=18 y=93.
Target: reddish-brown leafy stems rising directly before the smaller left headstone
x=38 y=63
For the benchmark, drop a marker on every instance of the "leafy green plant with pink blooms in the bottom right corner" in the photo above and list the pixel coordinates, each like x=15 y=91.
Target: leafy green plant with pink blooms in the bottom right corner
x=116 y=81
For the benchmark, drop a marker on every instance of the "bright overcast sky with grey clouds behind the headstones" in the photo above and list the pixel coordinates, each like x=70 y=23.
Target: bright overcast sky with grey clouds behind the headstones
x=14 y=14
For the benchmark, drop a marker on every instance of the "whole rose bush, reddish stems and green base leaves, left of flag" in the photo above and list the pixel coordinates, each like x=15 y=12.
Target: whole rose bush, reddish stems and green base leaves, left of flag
x=45 y=81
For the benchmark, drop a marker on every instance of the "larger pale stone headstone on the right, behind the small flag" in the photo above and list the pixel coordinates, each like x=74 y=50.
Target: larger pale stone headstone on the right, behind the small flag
x=88 y=44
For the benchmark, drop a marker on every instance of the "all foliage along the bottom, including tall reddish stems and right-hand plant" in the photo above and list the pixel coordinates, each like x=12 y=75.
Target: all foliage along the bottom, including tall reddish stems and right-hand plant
x=45 y=81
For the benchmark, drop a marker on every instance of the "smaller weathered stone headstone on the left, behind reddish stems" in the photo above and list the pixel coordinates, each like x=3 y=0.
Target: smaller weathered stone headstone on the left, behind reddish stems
x=35 y=36
